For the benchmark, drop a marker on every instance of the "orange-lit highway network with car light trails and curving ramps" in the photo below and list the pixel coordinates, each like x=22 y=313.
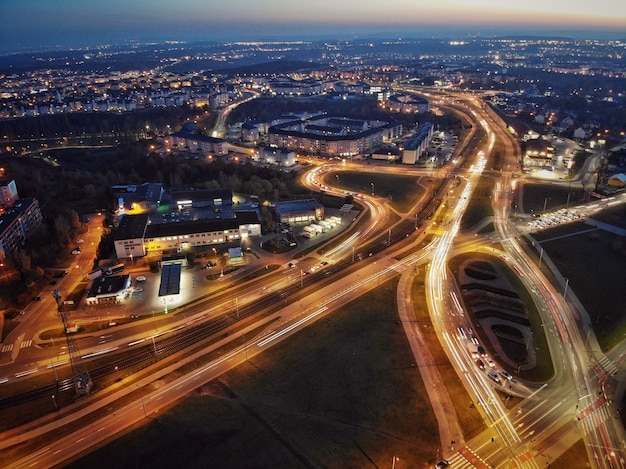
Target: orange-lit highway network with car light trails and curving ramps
x=553 y=415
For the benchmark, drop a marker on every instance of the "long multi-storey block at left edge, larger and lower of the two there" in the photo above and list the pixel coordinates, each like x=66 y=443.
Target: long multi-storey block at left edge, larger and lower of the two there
x=16 y=223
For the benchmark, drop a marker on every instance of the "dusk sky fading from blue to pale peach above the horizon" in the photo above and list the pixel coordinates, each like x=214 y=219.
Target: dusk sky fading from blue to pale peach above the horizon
x=46 y=24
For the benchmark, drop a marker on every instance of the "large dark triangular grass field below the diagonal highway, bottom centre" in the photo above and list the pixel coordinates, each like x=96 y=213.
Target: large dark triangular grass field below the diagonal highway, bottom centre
x=344 y=392
